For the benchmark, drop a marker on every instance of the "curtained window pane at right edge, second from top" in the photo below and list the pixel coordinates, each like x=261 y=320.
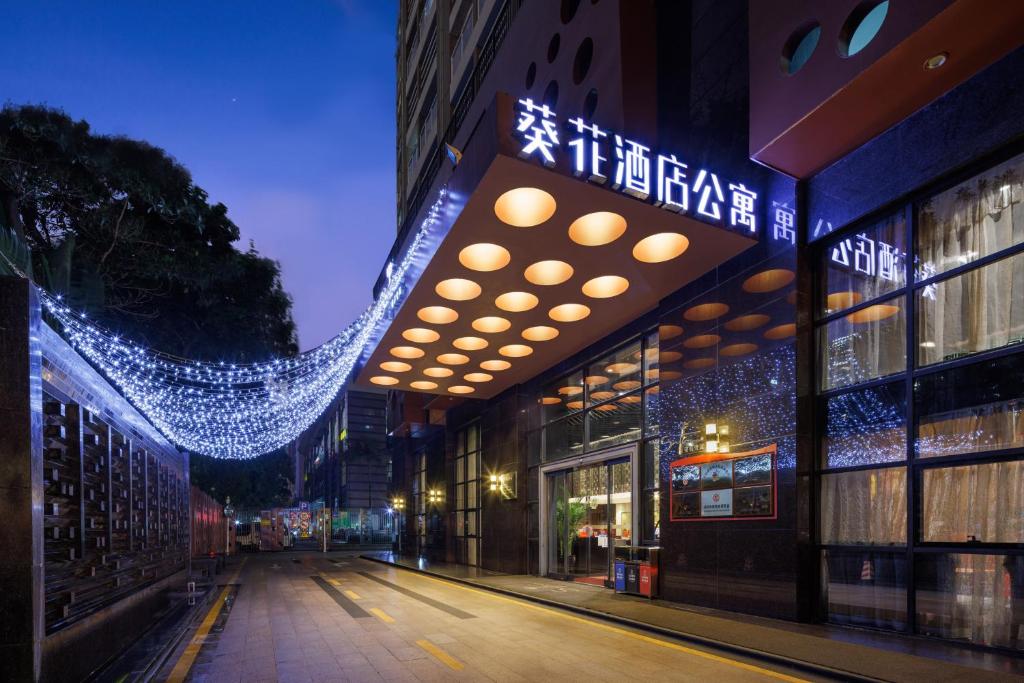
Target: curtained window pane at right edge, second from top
x=975 y=312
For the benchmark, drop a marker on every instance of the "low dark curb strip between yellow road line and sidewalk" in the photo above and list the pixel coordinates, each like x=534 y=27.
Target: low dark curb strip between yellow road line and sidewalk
x=733 y=649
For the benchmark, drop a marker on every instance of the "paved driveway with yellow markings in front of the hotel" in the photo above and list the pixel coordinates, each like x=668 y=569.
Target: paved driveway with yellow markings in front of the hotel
x=315 y=618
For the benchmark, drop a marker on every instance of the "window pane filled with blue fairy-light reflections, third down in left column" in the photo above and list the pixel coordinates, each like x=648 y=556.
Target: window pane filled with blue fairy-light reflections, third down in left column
x=866 y=428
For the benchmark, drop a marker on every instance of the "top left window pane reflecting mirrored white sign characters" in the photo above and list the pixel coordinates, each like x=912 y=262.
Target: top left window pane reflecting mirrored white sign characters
x=865 y=267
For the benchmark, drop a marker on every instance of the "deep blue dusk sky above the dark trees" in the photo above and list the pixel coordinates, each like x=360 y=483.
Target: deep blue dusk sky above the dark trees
x=283 y=110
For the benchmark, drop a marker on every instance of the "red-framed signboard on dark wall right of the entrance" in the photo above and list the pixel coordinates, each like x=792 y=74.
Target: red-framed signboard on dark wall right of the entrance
x=717 y=487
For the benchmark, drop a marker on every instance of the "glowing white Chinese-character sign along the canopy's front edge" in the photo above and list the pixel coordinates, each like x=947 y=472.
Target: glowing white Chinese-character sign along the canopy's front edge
x=604 y=157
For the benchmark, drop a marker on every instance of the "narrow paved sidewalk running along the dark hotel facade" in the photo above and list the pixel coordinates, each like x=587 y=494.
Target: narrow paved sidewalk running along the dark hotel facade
x=852 y=654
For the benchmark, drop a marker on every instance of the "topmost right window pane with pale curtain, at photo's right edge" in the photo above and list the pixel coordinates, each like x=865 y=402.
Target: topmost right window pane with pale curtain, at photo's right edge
x=972 y=221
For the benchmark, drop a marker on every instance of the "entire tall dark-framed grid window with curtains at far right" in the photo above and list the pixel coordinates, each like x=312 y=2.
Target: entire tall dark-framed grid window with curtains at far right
x=922 y=415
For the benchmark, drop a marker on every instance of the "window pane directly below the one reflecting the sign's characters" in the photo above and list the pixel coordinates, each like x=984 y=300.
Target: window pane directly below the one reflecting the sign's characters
x=864 y=346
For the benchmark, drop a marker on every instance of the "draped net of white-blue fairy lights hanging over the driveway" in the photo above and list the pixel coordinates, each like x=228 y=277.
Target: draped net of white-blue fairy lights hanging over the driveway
x=232 y=410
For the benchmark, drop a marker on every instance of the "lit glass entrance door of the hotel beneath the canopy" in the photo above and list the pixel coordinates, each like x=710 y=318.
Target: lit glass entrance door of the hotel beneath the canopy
x=590 y=513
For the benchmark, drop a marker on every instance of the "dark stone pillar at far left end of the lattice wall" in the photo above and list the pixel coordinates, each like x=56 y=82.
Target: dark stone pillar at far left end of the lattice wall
x=21 y=483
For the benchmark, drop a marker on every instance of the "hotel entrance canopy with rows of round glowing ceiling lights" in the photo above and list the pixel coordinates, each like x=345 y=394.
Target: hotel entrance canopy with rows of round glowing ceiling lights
x=532 y=265
